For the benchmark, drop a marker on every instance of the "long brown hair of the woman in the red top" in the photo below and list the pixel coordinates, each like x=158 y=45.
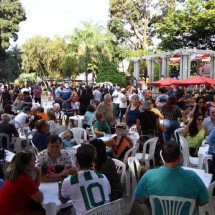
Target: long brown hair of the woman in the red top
x=18 y=165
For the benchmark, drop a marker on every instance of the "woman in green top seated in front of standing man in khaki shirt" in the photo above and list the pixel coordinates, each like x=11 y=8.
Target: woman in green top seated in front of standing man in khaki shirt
x=100 y=126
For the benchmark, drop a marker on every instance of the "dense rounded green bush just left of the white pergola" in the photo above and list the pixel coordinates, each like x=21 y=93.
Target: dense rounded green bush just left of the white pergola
x=110 y=73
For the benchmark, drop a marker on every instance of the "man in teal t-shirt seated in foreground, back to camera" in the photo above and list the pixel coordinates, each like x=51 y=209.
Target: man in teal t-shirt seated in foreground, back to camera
x=171 y=180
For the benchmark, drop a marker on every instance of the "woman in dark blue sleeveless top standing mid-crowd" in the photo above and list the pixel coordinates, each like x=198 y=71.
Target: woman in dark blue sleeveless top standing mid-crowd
x=132 y=111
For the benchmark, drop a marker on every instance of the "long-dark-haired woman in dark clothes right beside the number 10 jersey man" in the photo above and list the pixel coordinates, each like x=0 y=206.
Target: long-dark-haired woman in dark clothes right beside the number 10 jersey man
x=106 y=166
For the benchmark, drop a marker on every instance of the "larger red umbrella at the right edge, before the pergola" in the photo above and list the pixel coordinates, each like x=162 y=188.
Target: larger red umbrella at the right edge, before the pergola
x=198 y=80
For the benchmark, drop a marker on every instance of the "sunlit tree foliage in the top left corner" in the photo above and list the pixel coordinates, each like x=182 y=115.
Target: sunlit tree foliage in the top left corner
x=11 y=14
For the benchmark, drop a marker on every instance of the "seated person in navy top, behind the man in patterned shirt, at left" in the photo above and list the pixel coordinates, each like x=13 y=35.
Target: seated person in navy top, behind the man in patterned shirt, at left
x=40 y=137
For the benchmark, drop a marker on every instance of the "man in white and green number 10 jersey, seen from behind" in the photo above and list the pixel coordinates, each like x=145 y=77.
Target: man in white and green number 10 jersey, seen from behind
x=86 y=189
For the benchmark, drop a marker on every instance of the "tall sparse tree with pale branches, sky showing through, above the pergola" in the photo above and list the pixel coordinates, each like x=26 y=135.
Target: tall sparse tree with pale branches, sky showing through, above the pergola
x=133 y=21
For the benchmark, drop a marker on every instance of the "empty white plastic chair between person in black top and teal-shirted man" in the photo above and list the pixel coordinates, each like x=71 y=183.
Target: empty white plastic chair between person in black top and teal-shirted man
x=146 y=157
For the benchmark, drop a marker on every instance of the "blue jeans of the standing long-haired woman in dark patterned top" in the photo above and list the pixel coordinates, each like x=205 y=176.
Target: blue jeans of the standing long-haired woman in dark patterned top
x=170 y=126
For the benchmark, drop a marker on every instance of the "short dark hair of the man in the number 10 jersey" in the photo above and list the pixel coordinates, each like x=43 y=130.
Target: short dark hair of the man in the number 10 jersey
x=85 y=155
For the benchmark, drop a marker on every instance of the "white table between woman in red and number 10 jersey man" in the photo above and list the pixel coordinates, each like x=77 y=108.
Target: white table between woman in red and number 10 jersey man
x=51 y=203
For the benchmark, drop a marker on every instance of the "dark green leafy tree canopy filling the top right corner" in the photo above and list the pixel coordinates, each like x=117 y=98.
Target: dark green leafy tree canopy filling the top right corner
x=189 y=26
